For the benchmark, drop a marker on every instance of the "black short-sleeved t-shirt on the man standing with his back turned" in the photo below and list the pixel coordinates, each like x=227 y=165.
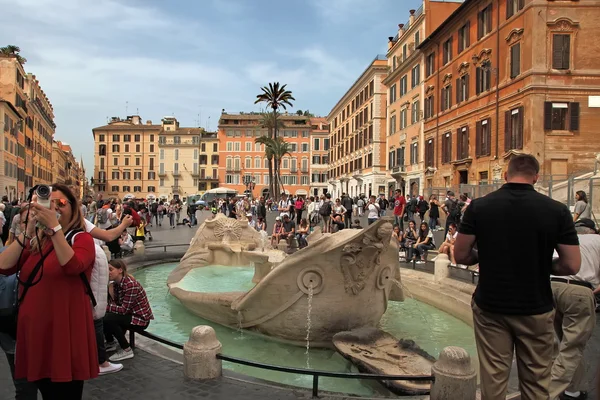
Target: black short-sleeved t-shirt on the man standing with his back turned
x=517 y=230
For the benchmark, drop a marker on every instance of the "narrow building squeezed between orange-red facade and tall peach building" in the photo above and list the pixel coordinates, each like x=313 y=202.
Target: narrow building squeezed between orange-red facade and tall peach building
x=319 y=156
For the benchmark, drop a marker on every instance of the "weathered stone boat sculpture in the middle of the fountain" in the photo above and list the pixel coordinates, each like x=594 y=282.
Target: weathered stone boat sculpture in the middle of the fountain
x=347 y=276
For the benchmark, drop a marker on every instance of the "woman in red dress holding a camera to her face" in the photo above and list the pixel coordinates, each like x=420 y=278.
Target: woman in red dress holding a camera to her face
x=56 y=342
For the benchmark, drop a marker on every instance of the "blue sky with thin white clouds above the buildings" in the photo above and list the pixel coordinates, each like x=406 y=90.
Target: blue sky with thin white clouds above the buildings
x=97 y=59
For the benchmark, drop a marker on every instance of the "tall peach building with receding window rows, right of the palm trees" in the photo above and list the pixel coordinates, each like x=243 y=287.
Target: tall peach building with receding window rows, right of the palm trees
x=358 y=135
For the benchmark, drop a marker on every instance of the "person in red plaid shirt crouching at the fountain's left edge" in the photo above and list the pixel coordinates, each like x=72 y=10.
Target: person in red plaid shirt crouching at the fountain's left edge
x=127 y=309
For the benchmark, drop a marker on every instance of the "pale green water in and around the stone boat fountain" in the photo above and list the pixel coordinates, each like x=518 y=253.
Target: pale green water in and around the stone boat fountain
x=429 y=327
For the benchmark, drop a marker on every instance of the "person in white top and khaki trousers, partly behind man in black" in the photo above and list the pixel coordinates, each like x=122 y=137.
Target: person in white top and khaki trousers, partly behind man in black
x=575 y=317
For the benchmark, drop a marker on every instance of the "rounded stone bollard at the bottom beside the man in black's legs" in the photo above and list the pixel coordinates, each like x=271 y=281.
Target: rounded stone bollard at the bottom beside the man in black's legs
x=455 y=377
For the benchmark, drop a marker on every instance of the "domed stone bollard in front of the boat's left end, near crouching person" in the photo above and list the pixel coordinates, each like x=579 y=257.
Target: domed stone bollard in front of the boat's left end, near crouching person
x=200 y=354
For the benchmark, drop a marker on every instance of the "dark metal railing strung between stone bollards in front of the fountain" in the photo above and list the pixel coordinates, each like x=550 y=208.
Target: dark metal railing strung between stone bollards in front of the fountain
x=291 y=370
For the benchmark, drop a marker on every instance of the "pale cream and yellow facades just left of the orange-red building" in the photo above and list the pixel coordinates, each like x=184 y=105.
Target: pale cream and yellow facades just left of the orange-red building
x=188 y=160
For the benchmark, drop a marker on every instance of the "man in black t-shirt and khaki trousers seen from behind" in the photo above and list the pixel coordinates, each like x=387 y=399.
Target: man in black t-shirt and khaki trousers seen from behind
x=512 y=304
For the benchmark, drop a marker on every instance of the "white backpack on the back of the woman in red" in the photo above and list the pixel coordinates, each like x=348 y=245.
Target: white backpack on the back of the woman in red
x=96 y=286
